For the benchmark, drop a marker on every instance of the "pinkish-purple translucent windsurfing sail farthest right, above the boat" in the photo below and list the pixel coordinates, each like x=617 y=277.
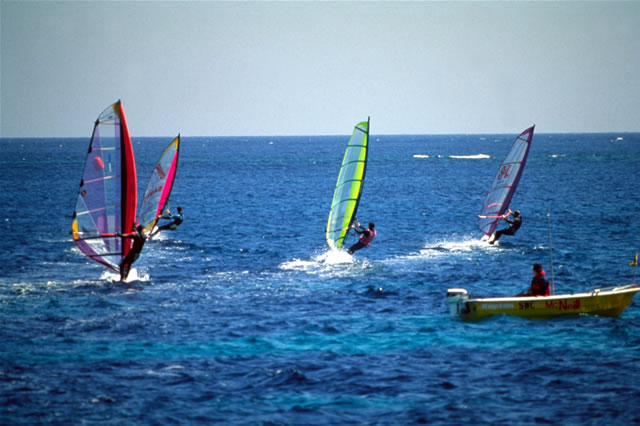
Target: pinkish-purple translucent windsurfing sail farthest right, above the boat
x=505 y=183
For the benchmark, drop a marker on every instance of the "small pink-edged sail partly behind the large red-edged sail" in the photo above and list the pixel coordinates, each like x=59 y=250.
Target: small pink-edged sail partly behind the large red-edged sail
x=156 y=196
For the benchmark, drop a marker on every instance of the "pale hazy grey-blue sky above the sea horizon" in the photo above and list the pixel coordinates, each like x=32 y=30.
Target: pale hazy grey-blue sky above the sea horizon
x=211 y=68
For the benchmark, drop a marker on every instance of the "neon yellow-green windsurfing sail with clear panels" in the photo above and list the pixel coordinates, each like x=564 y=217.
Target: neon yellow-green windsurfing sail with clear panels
x=346 y=196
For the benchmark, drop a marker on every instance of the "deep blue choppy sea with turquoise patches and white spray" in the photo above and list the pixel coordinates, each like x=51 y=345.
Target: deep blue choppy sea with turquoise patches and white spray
x=243 y=316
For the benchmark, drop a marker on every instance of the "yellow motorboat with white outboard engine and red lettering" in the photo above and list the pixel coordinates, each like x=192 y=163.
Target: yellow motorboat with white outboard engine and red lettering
x=605 y=302
